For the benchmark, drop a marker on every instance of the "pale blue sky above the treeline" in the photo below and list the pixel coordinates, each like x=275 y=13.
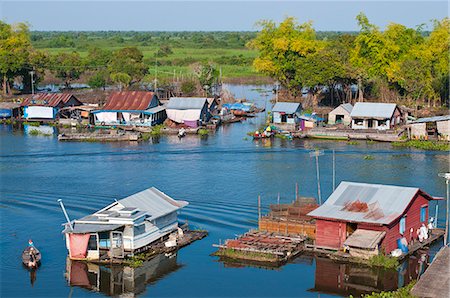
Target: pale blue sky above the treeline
x=213 y=15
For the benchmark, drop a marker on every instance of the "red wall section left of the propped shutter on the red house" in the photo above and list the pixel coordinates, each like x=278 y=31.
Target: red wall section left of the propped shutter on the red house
x=330 y=233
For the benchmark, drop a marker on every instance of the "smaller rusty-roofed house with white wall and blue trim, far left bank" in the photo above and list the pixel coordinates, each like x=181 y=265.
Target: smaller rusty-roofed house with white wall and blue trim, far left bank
x=46 y=106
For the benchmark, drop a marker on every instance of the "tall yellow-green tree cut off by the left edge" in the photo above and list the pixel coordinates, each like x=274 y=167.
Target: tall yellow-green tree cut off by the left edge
x=14 y=51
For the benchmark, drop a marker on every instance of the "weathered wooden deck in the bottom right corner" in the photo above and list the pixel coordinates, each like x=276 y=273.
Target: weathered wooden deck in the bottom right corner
x=435 y=282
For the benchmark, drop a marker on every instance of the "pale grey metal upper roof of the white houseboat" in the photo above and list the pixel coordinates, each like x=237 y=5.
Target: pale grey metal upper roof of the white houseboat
x=154 y=202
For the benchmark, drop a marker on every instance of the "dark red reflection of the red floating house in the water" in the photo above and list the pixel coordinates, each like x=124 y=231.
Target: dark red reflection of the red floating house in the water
x=350 y=279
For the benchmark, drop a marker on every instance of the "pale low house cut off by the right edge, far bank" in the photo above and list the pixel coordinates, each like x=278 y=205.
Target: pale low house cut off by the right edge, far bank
x=431 y=128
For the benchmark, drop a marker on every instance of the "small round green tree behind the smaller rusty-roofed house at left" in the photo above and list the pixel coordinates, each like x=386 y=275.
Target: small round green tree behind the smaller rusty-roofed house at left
x=67 y=67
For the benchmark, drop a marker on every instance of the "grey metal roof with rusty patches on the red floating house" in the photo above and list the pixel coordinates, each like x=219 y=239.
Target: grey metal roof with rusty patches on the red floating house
x=384 y=203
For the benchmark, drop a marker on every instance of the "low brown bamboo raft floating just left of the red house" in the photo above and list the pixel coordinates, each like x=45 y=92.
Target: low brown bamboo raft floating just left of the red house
x=261 y=247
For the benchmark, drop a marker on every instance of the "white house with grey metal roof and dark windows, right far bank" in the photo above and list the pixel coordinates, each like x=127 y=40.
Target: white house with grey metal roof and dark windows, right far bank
x=381 y=116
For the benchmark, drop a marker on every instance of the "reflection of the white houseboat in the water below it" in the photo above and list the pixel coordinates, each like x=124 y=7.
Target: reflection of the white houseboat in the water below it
x=119 y=280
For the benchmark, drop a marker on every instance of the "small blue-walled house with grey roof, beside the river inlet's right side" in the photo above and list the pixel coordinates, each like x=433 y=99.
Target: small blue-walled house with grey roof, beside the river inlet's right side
x=285 y=115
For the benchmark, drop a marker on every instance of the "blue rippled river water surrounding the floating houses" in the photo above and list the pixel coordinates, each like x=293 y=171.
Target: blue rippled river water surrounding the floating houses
x=221 y=176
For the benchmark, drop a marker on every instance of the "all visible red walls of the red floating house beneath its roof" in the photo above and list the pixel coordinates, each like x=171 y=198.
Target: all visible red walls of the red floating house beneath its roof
x=333 y=233
